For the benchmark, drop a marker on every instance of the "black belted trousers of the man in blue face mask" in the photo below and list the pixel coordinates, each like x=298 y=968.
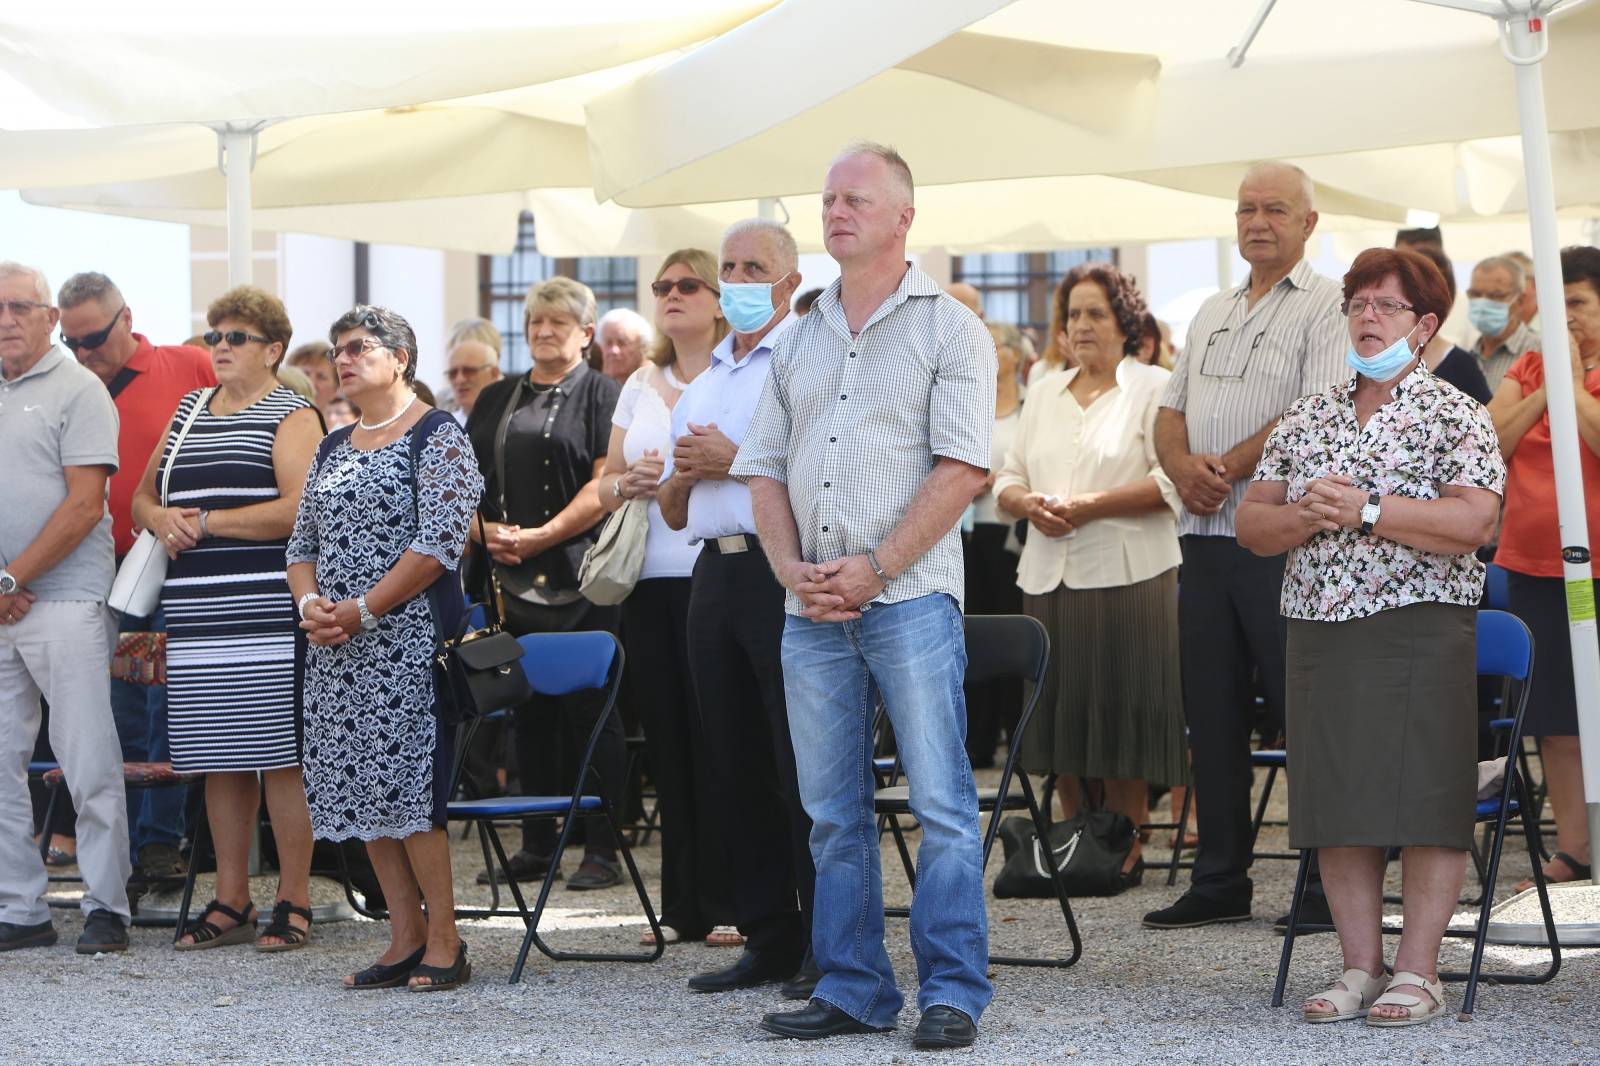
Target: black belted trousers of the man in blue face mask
x=737 y=623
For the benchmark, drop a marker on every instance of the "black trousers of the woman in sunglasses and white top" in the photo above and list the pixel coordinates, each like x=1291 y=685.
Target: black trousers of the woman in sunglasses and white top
x=694 y=862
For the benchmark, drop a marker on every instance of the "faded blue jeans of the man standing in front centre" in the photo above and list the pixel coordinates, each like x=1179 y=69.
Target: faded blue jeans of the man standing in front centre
x=914 y=654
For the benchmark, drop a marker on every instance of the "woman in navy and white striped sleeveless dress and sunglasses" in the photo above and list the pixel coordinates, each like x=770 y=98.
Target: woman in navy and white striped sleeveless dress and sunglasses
x=234 y=654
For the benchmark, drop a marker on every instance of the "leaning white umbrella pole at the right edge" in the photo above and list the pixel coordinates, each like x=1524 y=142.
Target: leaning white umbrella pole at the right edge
x=1526 y=47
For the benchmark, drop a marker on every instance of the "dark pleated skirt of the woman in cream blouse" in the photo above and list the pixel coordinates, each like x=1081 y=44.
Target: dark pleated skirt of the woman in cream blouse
x=1113 y=702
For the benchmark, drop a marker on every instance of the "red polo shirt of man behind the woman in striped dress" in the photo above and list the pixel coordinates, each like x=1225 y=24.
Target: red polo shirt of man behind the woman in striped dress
x=162 y=379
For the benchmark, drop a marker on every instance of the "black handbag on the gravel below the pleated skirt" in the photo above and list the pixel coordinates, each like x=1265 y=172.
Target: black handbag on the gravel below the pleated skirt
x=1089 y=849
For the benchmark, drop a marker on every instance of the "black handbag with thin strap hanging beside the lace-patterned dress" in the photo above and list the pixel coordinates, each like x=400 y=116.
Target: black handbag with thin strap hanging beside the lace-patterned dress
x=476 y=671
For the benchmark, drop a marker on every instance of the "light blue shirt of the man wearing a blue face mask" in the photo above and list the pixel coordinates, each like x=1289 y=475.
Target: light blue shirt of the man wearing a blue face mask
x=727 y=395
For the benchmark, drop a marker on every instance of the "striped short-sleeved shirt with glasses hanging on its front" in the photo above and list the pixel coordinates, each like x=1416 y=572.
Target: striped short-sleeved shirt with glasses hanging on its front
x=1242 y=367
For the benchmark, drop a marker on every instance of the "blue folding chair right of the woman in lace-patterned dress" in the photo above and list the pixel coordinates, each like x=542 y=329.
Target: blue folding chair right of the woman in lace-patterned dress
x=558 y=665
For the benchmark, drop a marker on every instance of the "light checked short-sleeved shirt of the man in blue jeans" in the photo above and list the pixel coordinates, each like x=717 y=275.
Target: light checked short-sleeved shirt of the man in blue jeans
x=854 y=427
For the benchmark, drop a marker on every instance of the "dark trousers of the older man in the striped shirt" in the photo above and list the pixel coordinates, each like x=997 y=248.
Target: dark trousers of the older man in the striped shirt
x=1228 y=623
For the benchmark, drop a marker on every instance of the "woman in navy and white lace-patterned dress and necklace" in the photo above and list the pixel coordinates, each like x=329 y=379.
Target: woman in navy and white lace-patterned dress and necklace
x=375 y=539
